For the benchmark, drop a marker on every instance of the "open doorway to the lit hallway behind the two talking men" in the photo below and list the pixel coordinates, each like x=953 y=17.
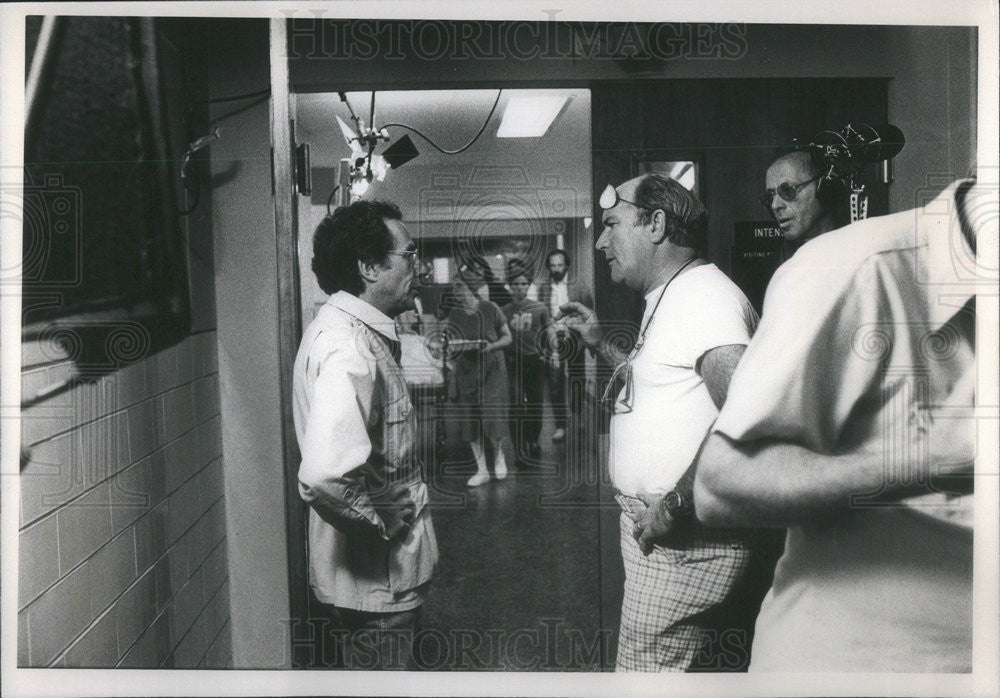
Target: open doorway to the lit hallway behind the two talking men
x=517 y=586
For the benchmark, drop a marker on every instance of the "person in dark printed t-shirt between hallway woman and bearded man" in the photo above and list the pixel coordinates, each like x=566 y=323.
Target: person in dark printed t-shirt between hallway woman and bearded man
x=531 y=326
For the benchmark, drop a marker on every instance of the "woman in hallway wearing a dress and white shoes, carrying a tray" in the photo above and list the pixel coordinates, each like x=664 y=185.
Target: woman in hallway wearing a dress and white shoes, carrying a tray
x=480 y=377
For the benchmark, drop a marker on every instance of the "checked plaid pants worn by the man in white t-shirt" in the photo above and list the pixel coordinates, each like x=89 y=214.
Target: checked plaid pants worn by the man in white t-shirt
x=669 y=593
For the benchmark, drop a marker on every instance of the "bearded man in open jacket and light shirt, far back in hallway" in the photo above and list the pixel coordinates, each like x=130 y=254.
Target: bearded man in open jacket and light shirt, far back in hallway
x=566 y=361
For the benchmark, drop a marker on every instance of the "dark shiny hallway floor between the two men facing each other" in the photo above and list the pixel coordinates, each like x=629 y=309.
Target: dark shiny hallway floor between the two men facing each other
x=518 y=586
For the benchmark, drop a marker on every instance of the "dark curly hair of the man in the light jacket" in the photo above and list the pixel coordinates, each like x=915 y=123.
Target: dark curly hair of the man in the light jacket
x=352 y=234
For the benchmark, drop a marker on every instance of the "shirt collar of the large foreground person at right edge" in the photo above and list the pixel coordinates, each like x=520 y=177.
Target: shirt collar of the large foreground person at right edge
x=948 y=270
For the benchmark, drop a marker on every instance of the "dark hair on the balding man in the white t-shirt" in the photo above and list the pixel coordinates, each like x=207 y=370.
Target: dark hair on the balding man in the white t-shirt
x=686 y=220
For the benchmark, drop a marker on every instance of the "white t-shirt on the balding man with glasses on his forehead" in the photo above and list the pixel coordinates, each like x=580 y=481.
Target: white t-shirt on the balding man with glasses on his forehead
x=654 y=444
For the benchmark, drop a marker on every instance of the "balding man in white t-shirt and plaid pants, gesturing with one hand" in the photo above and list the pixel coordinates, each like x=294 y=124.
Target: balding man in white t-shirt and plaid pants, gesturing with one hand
x=667 y=394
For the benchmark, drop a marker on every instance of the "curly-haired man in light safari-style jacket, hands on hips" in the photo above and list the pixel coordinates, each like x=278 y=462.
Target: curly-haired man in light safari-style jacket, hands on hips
x=372 y=549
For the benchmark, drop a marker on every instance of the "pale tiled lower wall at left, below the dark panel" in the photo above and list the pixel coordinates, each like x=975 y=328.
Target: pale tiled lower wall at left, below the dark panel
x=122 y=557
